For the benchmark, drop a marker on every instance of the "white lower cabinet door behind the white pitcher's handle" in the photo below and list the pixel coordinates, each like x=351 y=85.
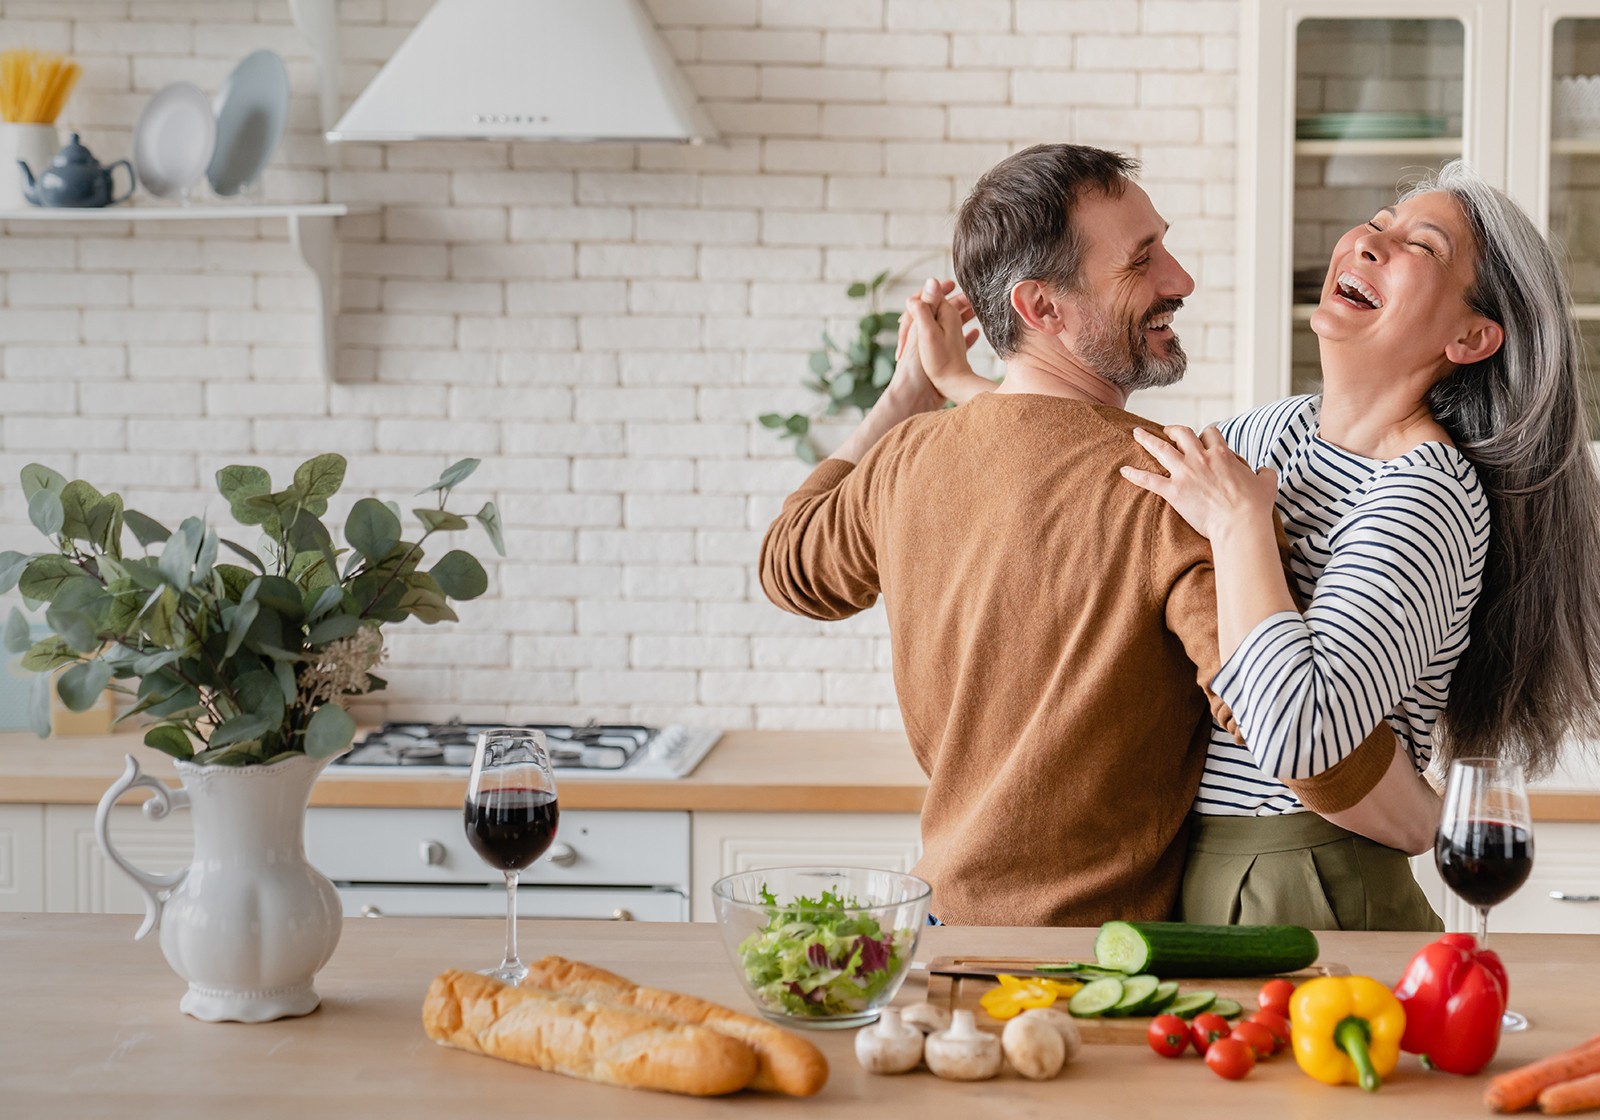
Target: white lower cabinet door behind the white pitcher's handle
x=81 y=881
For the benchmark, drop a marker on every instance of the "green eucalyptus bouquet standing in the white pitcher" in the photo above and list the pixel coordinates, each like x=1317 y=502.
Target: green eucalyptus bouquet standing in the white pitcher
x=238 y=663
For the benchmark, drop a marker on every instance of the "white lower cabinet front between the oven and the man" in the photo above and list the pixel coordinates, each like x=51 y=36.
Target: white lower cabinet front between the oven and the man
x=730 y=842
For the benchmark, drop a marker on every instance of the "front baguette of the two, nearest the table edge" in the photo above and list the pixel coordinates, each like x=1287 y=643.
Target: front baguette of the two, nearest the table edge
x=599 y=1042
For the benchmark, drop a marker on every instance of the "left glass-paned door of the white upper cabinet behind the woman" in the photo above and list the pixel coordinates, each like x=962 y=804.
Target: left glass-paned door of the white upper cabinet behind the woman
x=1340 y=108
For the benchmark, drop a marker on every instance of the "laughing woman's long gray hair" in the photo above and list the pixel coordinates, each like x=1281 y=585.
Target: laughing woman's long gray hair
x=1530 y=676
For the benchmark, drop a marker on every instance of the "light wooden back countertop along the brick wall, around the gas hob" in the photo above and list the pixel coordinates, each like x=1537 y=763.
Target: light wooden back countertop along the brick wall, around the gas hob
x=748 y=772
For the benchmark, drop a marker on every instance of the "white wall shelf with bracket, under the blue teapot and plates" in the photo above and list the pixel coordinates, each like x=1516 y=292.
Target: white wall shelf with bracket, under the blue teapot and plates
x=311 y=233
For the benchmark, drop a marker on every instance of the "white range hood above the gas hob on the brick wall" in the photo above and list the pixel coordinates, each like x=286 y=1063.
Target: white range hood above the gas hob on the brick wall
x=530 y=70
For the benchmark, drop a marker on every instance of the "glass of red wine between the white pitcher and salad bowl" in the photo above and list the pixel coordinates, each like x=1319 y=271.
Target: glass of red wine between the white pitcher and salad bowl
x=511 y=818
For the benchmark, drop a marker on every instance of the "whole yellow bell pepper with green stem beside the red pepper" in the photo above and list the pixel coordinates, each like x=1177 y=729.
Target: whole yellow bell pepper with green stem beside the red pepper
x=1346 y=1030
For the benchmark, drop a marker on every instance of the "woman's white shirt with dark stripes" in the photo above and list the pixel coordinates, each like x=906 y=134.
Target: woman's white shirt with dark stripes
x=1390 y=558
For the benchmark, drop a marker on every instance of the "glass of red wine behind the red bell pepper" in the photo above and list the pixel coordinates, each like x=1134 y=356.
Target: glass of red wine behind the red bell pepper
x=1484 y=849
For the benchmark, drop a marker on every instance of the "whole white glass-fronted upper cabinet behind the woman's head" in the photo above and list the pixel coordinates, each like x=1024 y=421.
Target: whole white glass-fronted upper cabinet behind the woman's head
x=1343 y=106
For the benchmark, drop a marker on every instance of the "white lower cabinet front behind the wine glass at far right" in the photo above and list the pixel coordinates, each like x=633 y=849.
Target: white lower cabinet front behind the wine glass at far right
x=1562 y=895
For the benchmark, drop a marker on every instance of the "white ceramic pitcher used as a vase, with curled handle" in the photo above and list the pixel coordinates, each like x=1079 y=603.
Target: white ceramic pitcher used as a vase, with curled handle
x=249 y=924
